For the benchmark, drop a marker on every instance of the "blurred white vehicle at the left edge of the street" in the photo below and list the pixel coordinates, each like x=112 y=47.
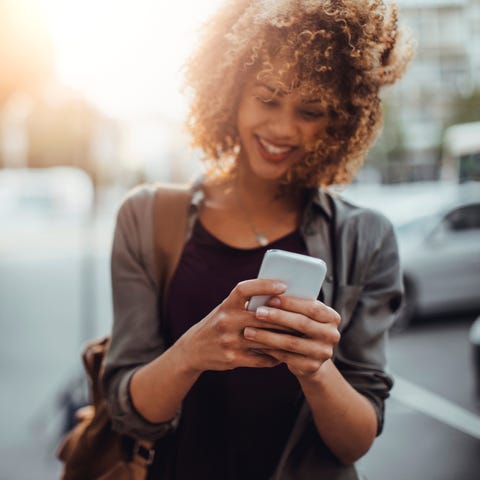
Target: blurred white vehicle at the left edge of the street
x=44 y=211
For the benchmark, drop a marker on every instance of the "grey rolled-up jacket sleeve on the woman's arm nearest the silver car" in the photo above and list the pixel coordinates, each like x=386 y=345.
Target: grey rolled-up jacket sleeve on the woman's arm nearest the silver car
x=367 y=305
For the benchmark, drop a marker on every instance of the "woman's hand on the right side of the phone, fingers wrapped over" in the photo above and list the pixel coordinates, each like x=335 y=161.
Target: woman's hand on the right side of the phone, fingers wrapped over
x=305 y=352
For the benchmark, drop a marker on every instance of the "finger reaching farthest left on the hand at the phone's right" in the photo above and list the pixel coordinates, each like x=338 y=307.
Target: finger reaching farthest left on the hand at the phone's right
x=289 y=343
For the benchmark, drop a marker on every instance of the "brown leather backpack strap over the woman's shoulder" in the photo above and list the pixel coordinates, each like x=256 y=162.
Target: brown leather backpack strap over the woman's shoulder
x=172 y=204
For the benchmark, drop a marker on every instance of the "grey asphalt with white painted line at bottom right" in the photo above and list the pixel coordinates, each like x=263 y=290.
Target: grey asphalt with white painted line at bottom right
x=432 y=429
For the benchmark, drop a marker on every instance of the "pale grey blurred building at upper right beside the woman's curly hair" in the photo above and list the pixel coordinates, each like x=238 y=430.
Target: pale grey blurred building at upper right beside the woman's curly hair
x=445 y=70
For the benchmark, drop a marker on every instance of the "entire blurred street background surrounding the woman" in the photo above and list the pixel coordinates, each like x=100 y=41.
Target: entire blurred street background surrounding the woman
x=90 y=106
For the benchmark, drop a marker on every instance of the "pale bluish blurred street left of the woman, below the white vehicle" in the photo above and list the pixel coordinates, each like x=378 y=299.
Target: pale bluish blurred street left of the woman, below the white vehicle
x=54 y=295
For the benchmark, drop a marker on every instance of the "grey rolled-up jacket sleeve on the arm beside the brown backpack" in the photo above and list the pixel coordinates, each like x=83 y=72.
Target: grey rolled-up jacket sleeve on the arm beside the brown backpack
x=136 y=337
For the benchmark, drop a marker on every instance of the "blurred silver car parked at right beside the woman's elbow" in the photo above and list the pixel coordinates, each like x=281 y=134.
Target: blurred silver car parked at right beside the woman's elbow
x=440 y=256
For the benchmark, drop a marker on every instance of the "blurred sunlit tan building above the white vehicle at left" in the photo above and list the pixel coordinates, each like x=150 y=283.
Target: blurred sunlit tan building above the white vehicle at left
x=58 y=127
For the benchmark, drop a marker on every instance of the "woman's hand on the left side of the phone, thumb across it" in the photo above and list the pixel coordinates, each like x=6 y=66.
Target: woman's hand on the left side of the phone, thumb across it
x=217 y=342
